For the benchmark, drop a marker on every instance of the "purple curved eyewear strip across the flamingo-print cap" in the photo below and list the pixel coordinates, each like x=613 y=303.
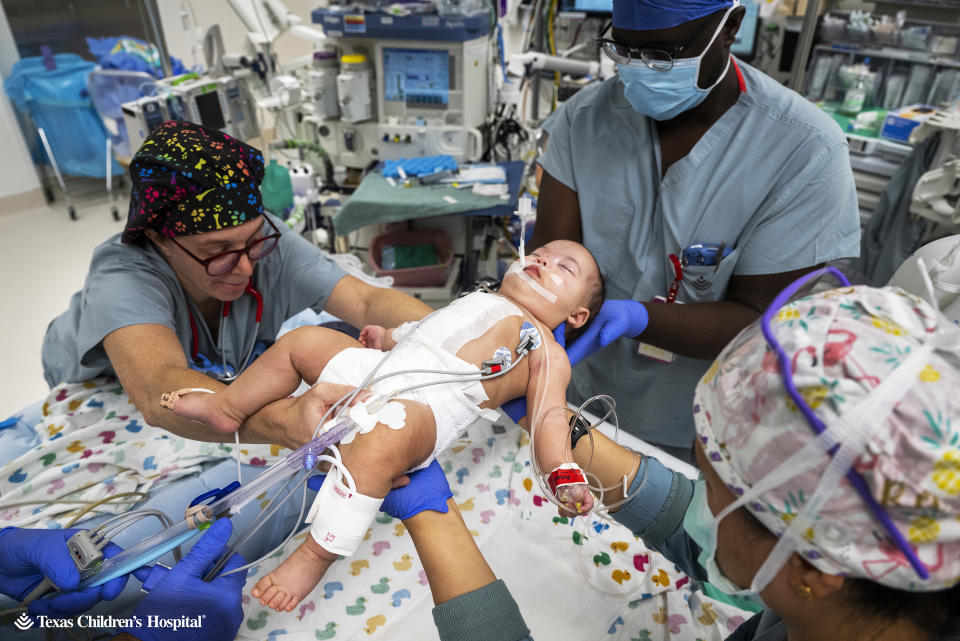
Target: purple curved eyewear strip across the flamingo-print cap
x=817 y=425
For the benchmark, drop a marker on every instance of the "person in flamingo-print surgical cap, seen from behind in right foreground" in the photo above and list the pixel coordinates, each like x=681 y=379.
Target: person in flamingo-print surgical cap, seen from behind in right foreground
x=828 y=439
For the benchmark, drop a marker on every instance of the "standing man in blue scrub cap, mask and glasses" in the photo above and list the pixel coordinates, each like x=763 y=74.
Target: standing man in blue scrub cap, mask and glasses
x=687 y=156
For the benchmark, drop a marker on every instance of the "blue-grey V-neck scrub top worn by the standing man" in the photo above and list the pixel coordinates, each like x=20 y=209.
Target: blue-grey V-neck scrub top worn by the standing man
x=771 y=179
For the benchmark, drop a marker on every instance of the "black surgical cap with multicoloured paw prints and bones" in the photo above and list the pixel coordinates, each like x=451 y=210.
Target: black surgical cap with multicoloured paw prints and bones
x=189 y=179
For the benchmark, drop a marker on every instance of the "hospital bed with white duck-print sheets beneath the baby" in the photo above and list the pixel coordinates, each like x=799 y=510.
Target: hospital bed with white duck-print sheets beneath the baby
x=583 y=578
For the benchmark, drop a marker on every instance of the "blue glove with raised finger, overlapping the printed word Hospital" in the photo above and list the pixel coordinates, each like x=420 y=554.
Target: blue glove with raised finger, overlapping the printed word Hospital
x=182 y=592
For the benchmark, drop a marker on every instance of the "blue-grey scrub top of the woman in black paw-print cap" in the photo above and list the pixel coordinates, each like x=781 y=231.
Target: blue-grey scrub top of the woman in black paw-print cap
x=134 y=284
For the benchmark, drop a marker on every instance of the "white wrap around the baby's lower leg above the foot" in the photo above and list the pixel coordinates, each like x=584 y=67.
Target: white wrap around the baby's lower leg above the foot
x=340 y=518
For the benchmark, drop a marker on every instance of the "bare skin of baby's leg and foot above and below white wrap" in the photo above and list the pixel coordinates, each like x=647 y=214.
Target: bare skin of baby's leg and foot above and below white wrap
x=374 y=459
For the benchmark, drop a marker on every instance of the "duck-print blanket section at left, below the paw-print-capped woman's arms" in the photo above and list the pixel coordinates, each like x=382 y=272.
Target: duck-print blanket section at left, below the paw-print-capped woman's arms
x=91 y=436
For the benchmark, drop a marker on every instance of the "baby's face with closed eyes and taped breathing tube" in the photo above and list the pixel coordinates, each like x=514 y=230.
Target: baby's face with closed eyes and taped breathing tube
x=555 y=283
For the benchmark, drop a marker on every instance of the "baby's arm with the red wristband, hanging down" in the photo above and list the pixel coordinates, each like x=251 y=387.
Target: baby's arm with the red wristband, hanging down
x=546 y=410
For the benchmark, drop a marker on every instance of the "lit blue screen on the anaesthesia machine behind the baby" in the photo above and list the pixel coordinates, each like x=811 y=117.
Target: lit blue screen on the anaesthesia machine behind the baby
x=418 y=77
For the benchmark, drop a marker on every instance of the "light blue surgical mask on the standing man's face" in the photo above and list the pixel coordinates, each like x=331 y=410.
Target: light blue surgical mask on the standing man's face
x=663 y=95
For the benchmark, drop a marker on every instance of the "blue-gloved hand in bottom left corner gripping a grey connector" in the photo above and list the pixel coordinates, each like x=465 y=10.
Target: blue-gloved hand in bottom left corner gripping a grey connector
x=26 y=556
